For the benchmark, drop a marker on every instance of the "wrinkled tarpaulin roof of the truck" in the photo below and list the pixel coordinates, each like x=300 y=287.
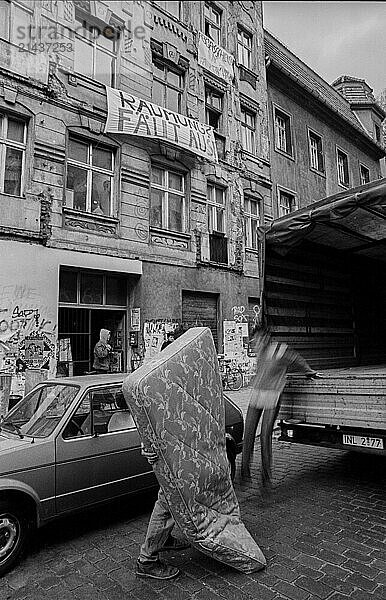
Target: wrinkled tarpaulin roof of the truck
x=353 y=221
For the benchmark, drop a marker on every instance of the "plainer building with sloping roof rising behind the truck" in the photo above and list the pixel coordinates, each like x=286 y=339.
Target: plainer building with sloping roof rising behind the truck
x=324 y=138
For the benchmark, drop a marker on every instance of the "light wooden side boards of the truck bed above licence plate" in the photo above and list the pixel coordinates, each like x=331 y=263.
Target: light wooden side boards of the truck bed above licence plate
x=350 y=397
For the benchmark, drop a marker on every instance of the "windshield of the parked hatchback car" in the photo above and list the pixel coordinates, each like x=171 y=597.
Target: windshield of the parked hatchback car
x=41 y=410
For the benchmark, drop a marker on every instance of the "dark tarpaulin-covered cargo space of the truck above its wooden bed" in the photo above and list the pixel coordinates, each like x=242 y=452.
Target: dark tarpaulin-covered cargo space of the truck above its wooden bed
x=324 y=278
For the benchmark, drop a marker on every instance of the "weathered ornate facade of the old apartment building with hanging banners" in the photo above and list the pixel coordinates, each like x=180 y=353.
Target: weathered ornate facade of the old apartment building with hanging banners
x=138 y=233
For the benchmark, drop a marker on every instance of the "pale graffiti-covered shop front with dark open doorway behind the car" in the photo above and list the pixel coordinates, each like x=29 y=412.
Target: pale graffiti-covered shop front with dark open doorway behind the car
x=53 y=304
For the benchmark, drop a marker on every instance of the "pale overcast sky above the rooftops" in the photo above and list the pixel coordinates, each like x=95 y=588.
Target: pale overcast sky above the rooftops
x=334 y=38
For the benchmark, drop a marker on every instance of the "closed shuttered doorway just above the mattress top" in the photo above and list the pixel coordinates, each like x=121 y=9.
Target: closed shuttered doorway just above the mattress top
x=199 y=309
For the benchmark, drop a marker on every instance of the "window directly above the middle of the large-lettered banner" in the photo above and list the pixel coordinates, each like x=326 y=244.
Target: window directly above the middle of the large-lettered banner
x=168 y=87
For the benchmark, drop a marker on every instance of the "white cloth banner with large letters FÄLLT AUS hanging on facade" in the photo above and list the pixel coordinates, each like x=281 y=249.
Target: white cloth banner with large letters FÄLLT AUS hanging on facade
x=132 y=116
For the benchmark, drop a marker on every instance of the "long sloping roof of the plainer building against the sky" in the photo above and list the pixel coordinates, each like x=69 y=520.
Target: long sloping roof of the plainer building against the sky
x=282 y=58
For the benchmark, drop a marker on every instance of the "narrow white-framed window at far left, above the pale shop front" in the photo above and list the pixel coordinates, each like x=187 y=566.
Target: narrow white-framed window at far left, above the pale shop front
x=13 y=133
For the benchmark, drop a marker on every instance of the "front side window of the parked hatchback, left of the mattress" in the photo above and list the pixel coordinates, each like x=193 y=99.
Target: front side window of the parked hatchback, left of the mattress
x=101 y=411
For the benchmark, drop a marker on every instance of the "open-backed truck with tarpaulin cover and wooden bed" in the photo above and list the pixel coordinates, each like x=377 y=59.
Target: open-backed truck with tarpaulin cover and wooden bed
x=324 y=293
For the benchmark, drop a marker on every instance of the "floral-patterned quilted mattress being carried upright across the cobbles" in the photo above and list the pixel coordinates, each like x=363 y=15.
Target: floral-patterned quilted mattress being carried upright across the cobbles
x=178 y=406
